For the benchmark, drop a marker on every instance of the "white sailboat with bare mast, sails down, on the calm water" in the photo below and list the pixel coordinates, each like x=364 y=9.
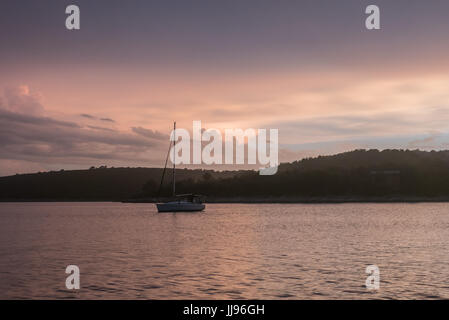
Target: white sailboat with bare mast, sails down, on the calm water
x=182 y=202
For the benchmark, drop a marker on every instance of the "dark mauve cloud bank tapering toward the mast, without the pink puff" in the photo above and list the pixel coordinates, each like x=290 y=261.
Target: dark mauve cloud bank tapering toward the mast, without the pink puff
x=52 y=141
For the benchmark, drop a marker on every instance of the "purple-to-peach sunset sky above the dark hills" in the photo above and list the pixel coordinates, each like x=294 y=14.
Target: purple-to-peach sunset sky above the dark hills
x=107 y=94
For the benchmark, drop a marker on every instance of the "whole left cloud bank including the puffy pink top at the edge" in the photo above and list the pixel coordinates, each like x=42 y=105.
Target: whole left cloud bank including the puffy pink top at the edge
x=42 y=141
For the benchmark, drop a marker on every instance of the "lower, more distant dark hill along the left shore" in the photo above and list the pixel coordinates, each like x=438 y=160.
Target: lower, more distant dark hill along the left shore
x=96 y=184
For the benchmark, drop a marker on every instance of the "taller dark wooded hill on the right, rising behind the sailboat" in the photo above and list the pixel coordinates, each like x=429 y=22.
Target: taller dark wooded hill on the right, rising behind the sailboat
x=360 y=175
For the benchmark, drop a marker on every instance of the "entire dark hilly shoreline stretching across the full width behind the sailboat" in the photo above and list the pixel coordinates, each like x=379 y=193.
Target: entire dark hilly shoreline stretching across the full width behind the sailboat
x=360 y=175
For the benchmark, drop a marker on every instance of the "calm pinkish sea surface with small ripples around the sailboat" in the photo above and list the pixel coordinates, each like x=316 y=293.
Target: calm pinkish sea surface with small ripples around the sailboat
x=246 y=251
